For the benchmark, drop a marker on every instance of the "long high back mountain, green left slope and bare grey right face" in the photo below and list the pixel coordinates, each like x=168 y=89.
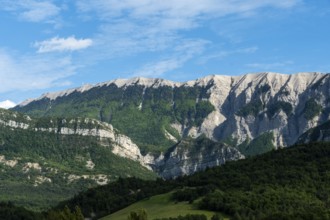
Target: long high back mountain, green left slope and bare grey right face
x=156 y=113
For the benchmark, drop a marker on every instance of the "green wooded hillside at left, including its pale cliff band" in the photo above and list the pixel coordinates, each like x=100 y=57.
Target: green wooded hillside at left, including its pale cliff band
x=44 y=161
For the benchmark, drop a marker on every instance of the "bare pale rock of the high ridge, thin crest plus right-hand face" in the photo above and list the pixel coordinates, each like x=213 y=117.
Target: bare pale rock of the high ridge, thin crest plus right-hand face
x=229 y=94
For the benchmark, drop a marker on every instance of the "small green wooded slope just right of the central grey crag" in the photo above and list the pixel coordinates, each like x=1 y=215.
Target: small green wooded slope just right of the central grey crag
x=259 y=145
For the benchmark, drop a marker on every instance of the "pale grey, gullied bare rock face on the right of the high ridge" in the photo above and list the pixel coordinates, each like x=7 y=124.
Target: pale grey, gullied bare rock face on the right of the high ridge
x=287 y=105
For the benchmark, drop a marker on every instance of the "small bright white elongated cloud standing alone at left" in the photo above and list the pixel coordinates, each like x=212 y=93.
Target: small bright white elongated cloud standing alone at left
x=62 y=44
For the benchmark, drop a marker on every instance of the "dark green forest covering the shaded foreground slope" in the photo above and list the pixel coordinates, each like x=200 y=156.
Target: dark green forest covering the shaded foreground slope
x=291 y=183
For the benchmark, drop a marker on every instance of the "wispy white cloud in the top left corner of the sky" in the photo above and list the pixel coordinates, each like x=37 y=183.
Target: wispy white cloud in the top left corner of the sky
x=31 y=10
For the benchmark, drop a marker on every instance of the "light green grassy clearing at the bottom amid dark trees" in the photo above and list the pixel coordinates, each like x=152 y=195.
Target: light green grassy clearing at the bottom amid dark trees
x=160 y=206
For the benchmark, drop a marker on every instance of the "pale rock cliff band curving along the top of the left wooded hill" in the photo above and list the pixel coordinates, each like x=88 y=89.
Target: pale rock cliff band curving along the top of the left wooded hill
x=121 y=144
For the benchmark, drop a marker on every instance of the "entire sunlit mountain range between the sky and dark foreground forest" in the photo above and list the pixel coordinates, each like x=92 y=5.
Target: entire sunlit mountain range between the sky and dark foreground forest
x=142 y=127
